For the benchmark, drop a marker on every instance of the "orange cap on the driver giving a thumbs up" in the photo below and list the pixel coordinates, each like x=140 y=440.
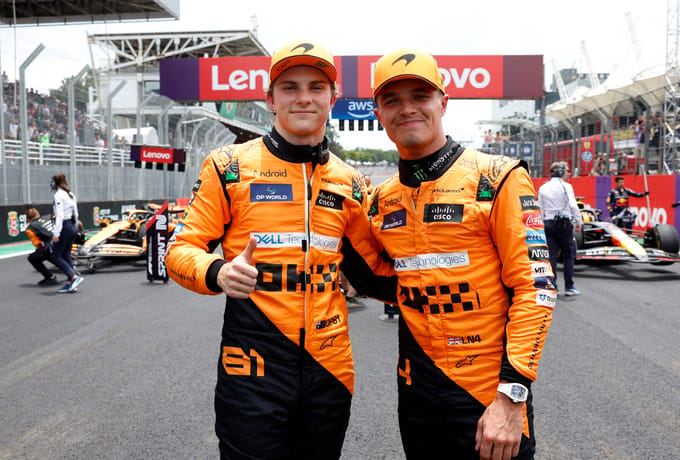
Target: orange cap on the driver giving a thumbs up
x=302 y=52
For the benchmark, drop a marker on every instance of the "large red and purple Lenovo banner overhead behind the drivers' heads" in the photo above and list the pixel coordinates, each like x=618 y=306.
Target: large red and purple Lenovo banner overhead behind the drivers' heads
x=246 y=78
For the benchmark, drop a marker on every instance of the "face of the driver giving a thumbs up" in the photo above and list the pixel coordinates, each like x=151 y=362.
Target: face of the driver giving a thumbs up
x=302 y=98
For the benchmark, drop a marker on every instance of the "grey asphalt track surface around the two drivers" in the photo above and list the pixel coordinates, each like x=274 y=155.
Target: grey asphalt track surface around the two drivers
x=125 y=369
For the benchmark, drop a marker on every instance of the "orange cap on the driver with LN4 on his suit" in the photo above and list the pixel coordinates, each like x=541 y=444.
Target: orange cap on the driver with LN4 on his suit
x=406 y=64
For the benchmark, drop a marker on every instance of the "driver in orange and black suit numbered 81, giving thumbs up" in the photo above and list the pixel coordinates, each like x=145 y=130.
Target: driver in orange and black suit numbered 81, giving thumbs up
x=285 y=374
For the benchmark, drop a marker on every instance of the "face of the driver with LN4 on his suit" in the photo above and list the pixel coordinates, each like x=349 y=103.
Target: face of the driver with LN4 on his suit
x=411 y=112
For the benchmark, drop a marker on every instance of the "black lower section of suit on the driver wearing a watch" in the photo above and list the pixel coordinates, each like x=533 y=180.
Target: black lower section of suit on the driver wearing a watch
x=437 y=418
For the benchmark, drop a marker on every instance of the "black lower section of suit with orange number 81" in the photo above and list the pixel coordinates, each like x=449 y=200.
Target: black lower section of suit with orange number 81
x=292 y=408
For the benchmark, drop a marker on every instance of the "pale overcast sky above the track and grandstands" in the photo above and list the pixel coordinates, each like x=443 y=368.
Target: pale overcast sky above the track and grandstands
x=351 y=27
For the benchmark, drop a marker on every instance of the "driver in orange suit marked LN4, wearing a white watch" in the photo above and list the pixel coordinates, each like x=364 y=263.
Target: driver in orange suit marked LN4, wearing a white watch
x=475 y=286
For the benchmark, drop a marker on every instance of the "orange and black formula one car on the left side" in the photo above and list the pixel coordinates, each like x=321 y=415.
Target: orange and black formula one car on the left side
x=121 y=240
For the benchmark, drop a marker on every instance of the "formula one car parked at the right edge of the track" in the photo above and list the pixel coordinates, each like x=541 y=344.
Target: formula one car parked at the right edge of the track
x=604 y=241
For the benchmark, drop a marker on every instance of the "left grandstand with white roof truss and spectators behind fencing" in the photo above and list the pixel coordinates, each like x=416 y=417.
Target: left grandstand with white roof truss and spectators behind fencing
x=98 y=157
